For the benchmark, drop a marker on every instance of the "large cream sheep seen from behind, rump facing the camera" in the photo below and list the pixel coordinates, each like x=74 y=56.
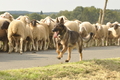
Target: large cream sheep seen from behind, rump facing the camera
x=18 y=32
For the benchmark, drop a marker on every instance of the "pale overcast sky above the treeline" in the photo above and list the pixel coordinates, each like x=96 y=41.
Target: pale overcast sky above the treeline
x=54 y=5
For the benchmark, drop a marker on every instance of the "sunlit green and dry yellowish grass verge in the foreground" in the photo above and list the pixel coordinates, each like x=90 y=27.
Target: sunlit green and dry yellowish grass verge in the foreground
x=96 y=69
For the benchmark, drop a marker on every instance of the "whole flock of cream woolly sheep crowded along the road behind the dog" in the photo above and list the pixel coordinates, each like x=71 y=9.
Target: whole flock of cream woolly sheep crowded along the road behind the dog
x=21 y=34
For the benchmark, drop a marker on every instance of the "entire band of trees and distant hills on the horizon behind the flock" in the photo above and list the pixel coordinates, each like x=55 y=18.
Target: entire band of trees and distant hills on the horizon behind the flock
x=90 y=14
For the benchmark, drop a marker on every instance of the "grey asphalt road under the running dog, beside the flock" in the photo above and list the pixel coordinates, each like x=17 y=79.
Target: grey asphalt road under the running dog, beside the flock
x=49 y=57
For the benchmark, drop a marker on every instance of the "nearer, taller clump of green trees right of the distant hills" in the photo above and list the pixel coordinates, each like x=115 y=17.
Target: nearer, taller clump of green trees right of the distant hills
x=90 y=14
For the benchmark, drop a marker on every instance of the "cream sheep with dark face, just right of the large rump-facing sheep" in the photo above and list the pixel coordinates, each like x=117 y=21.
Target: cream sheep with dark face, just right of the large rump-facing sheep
x=40 y=36
